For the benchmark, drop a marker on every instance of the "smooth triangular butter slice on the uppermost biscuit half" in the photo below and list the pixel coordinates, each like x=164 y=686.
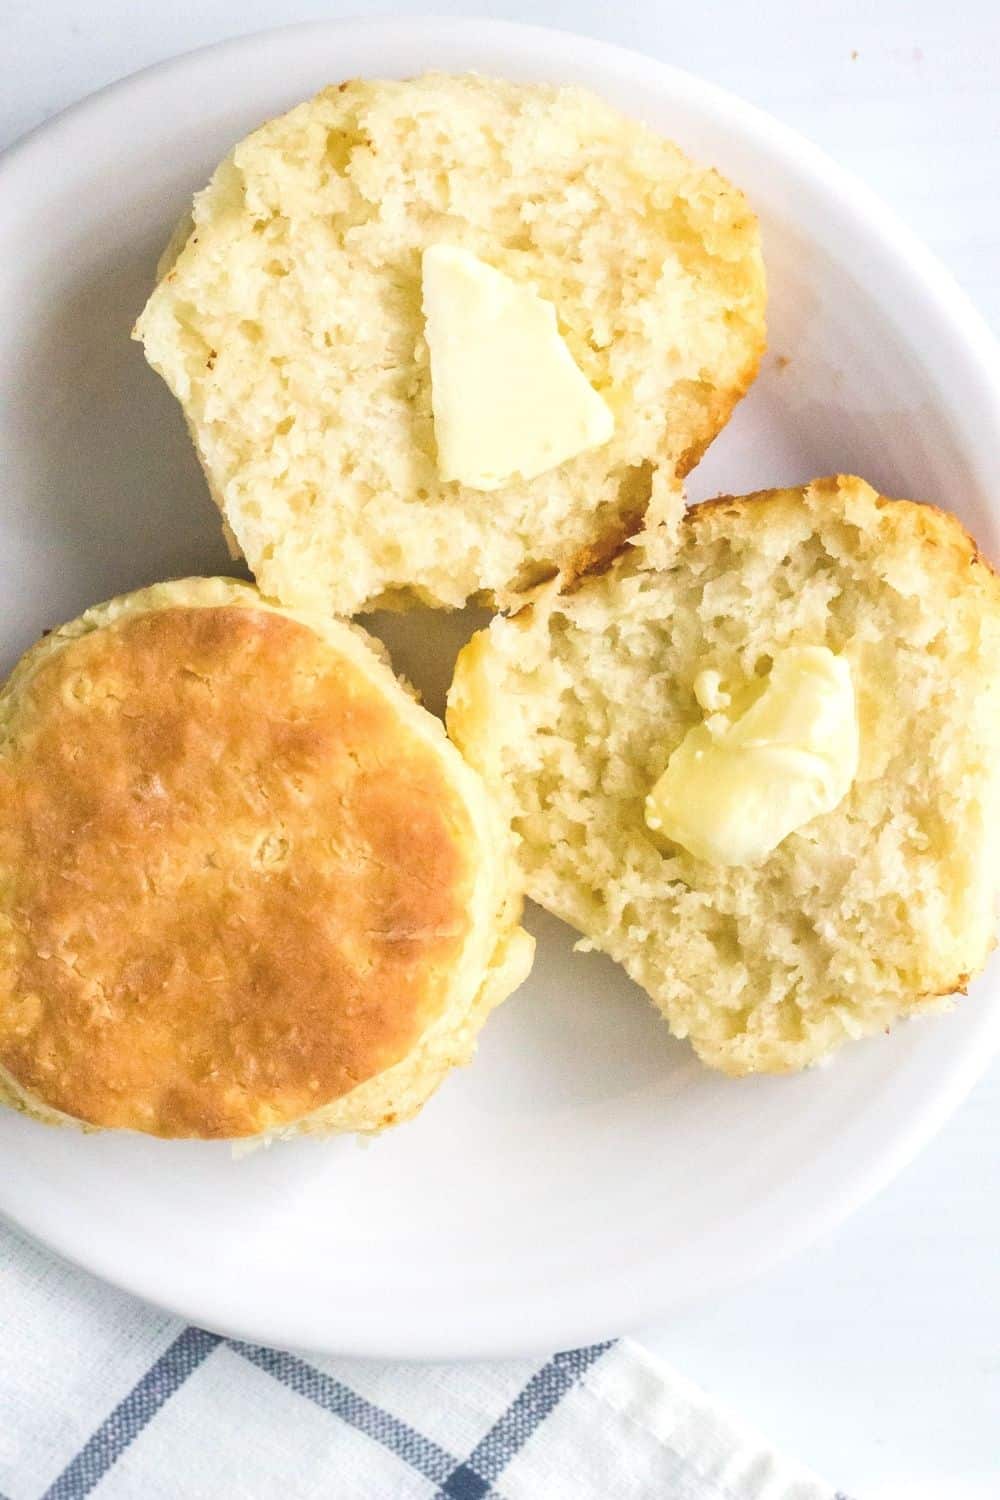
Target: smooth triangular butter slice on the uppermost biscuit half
x=509 y=400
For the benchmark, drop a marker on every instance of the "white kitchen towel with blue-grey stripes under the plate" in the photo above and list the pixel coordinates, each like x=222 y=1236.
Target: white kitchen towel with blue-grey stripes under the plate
x=103 y=1396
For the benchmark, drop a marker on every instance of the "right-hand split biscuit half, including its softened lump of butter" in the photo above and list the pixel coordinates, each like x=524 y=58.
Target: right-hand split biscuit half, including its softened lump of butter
x=764 y=775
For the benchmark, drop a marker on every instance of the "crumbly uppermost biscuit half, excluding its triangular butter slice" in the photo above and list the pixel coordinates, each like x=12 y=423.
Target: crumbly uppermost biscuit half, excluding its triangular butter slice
x=289 y=323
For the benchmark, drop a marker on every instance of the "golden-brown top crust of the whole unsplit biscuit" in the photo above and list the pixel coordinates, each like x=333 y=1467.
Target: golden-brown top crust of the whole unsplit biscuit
x=233 y=883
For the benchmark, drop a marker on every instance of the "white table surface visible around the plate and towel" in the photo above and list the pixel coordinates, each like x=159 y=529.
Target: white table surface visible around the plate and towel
x=875 y=1357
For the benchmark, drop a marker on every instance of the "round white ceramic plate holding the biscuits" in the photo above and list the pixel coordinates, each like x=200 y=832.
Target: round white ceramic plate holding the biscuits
x=585 y=1174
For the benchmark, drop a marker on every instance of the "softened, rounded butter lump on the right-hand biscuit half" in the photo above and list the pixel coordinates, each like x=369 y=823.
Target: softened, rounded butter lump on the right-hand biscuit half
x=764 y=763
